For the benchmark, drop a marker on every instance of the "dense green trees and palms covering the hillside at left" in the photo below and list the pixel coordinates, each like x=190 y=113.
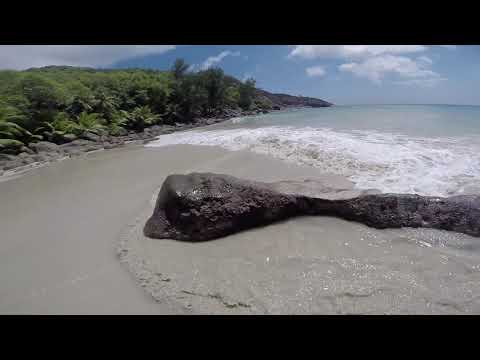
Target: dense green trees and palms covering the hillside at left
x=57 y=103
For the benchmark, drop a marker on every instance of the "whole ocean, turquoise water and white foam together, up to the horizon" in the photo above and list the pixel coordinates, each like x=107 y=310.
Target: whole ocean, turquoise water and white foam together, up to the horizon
x=421 y=149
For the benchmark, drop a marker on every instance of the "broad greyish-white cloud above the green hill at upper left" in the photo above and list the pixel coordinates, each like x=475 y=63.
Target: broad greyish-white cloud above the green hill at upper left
x=25 y=56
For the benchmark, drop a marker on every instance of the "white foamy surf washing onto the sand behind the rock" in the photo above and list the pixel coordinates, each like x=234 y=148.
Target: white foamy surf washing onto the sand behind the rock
x=388 y=162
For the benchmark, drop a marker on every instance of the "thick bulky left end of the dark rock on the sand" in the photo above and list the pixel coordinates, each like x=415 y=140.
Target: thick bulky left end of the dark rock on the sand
x=206 y=206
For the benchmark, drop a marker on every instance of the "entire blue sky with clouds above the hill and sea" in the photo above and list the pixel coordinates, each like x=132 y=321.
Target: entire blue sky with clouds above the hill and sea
x=341 y=74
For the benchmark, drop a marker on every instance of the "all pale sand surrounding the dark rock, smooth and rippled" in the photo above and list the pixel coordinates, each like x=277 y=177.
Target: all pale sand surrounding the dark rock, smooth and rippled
x=64 y=228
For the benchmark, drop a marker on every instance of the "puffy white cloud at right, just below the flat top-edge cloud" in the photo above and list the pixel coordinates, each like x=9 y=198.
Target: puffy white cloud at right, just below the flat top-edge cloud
x=375 y=68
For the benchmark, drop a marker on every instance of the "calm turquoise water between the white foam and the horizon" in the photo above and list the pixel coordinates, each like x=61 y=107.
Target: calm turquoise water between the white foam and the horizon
x=416 y=120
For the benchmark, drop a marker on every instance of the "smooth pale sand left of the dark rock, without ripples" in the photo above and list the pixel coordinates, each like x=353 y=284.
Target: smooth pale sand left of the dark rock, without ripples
x=60 y=226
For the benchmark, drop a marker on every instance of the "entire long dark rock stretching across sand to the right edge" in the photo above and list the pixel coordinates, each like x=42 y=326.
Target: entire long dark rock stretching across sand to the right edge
x=205 y=206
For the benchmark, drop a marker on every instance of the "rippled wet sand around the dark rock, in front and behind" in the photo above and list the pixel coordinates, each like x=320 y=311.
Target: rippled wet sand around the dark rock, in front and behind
x=304 y=265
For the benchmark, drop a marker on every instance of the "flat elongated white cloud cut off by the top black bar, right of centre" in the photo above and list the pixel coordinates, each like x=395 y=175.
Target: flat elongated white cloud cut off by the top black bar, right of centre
x=351 y=51
